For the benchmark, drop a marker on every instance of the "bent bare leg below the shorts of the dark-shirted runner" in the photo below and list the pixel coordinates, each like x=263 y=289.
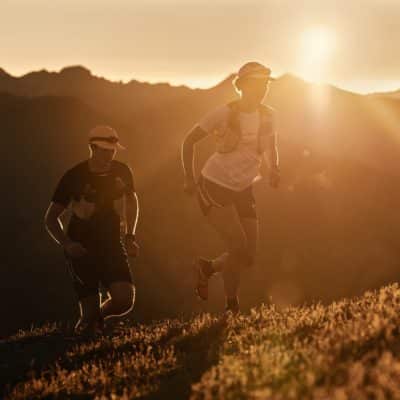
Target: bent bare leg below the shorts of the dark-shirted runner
x=120 y=302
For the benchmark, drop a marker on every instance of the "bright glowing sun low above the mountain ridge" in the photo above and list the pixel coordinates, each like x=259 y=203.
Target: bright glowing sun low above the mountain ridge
x=316 y=48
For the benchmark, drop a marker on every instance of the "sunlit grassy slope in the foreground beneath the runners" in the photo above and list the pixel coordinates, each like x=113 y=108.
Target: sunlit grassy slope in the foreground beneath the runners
x=349 y=349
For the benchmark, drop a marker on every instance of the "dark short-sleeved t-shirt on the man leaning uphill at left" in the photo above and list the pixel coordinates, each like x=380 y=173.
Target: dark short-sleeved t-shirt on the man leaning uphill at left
x=94 y=197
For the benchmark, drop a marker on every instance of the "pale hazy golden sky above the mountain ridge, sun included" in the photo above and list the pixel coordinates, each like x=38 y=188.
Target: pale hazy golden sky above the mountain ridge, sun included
x=353 y=43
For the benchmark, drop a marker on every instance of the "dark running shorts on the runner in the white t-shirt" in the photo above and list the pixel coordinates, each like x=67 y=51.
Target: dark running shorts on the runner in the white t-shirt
x=210 y=194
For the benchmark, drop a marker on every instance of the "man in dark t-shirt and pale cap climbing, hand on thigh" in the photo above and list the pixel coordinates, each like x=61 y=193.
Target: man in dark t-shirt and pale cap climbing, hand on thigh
x=100 y=191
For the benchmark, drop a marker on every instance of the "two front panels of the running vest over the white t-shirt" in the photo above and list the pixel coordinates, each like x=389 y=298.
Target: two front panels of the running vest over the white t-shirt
x=228 y=138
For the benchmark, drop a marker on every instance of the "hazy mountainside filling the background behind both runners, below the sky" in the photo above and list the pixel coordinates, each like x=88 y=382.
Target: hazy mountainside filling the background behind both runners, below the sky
x=323 y=233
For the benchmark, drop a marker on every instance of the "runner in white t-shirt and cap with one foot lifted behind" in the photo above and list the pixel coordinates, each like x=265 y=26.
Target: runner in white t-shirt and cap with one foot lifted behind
x=245 y=134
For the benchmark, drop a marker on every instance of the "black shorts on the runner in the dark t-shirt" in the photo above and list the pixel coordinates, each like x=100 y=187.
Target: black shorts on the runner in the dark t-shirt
x=103 y=264
